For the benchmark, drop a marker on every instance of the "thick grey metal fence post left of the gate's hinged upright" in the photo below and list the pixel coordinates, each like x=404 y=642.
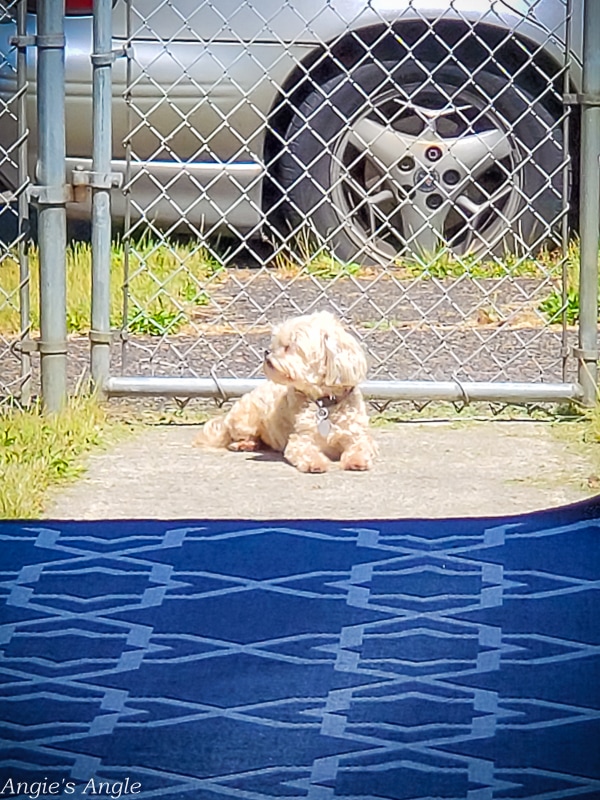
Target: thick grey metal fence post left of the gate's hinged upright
x=51 y=195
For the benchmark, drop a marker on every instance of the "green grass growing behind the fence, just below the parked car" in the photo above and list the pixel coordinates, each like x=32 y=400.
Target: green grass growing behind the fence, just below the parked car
x=169 y=280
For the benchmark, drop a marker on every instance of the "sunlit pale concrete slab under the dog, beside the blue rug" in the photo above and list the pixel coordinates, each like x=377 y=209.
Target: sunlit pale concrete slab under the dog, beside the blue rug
x=424 y=469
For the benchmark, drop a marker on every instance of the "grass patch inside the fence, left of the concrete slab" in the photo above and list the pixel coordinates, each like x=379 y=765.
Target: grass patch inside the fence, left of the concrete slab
x=39 y=451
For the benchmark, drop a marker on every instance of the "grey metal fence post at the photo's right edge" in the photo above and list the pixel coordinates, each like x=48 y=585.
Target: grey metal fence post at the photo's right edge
x=589 y=204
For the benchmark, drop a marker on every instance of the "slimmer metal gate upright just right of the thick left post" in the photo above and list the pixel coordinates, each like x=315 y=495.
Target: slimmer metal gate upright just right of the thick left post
x=101 y=183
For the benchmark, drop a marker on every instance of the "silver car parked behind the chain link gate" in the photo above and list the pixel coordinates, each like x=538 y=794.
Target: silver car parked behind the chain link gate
x=380 y=127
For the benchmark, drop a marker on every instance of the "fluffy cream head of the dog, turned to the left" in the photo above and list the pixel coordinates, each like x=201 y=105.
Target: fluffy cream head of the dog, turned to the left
x=315 y=352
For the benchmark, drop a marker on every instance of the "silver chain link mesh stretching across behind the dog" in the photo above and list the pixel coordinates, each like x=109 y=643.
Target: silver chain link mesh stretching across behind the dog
x=411 y=166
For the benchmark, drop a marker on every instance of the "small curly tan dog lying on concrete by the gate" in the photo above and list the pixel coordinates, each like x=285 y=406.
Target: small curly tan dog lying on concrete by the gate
x=310 y=409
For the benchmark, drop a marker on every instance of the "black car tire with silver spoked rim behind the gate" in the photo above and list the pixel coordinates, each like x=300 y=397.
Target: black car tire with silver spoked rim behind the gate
x=370 y=204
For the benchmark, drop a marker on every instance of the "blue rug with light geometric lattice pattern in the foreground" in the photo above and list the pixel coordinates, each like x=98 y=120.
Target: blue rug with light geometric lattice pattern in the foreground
x=206 y=660
